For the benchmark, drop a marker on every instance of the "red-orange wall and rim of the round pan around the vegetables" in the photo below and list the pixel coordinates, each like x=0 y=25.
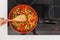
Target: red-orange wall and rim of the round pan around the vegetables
x=10 y=17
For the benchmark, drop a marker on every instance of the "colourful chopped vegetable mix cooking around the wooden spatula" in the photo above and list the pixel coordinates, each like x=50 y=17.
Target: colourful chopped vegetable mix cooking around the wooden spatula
x=26 y=25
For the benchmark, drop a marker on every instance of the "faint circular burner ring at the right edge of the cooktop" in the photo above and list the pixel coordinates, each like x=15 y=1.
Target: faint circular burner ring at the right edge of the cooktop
x=54 y=12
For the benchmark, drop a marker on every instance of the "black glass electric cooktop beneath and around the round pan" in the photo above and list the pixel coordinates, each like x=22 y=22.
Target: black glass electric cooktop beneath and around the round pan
x=48 y=16
